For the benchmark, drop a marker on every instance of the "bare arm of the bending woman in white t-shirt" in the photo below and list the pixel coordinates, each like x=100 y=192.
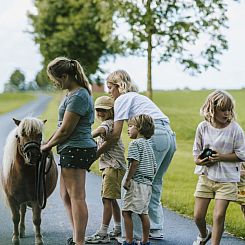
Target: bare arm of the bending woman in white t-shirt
x=115 y=136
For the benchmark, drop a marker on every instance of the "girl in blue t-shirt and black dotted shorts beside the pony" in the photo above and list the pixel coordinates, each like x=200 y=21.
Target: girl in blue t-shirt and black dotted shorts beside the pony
x=74 y=141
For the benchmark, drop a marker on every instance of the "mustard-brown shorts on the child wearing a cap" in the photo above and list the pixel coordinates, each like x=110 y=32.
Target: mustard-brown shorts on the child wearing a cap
x=111 y=183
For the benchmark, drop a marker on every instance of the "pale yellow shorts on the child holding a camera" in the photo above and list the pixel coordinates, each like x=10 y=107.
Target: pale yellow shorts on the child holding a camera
x=207 y=188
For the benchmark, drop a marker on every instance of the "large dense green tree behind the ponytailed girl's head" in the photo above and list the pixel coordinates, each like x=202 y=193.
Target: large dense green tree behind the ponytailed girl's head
x=77 y=29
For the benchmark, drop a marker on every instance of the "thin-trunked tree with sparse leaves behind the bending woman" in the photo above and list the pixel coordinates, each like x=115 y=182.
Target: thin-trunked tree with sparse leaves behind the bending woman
x=189 y=32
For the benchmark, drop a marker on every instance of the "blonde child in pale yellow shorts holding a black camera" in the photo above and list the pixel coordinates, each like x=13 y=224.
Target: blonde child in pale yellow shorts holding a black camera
x=218 y=168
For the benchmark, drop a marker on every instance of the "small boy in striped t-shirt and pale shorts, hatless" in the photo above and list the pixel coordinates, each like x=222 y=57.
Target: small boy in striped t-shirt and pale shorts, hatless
x=139 y=176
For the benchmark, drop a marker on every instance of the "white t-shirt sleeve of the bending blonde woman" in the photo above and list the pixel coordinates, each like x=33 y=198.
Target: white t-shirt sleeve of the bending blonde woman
x=121 y=108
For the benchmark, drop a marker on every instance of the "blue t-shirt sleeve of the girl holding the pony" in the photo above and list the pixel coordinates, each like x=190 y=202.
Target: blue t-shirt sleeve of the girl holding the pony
x=78 y=104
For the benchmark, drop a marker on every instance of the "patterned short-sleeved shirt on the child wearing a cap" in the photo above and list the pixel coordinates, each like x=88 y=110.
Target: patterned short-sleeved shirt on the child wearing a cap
x=114 y=157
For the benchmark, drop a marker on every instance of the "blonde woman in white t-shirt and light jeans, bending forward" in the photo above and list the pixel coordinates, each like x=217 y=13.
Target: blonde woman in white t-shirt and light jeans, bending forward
x=129 y=103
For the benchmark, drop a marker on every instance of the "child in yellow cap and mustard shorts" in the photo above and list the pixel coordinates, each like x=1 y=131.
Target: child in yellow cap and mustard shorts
x=113 y=165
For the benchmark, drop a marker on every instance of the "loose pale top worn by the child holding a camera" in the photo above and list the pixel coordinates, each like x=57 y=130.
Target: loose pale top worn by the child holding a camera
x=223 y=140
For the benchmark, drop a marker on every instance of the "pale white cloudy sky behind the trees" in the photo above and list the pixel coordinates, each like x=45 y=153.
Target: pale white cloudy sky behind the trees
x=18 y=50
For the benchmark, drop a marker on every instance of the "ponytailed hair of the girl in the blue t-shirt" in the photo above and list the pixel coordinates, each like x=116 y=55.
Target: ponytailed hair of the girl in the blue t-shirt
x=62 y=65
